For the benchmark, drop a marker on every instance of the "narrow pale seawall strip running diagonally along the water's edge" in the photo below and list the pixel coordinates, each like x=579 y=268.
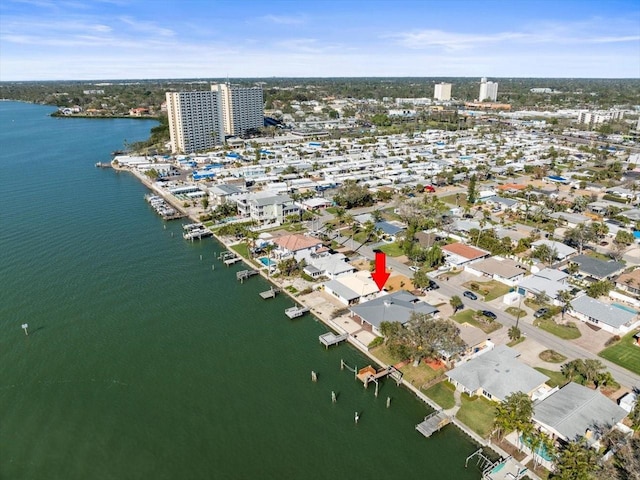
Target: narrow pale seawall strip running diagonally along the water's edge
x=328 y=322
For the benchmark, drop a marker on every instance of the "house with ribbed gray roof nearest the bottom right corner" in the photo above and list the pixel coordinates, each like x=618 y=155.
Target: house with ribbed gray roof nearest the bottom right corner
x=575 y=412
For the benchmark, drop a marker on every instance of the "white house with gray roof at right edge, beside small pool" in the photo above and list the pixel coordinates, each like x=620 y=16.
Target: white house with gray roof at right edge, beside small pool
x=613 y=318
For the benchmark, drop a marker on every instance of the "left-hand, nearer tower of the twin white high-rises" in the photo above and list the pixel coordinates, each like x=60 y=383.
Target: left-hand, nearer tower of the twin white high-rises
x=195 y=120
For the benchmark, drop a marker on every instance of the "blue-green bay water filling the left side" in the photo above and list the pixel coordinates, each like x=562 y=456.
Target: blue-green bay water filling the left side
x=143 y=362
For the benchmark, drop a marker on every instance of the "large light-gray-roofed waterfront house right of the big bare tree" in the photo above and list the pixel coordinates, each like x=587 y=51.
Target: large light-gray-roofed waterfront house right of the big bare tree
x=497 y=374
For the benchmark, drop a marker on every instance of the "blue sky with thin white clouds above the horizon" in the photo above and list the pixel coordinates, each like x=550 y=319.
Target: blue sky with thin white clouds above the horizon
x=142 y=39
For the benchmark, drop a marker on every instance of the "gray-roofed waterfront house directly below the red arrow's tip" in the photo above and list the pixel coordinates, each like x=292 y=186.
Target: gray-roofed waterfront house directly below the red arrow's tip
x=395 y=307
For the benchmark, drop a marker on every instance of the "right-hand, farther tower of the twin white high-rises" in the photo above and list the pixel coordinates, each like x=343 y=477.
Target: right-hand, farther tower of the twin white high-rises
x=242 y=108
